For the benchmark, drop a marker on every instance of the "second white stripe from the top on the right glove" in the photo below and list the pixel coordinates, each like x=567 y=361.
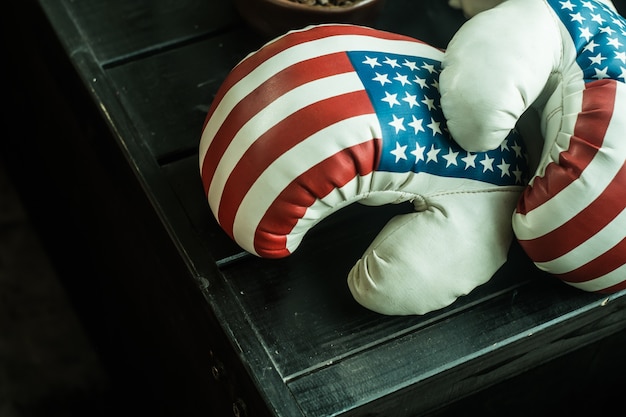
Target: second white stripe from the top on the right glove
x=600 y=243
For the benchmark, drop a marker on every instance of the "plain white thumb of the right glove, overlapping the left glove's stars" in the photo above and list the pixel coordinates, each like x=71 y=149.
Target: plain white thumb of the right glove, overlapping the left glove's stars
x=494 y=68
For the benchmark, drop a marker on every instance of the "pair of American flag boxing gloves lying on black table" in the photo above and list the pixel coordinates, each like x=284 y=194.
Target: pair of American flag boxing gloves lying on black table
x=330 y=115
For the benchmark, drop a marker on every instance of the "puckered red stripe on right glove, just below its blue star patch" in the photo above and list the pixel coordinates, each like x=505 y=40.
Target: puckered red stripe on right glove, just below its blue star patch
x=589 y=132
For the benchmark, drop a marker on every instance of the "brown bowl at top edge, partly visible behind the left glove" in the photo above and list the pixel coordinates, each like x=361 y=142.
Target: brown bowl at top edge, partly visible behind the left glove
x=276 y=17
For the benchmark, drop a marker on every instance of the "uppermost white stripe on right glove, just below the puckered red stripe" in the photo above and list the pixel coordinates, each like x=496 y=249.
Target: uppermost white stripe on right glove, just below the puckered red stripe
x=582 y=192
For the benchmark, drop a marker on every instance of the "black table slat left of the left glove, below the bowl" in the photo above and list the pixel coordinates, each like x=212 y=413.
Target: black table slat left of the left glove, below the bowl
x=168 y=95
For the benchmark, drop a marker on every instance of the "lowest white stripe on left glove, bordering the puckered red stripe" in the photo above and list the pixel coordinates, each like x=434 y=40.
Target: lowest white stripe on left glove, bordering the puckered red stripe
x=297 y=160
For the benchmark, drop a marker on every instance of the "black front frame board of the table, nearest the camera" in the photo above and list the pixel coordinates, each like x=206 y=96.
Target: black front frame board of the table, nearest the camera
x=421 y=371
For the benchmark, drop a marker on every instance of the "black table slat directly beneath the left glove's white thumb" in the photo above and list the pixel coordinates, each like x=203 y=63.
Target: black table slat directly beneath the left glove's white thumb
x=302 y=309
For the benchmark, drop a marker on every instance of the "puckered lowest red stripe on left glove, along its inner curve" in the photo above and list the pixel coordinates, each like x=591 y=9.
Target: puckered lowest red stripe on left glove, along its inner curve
x=292 y=203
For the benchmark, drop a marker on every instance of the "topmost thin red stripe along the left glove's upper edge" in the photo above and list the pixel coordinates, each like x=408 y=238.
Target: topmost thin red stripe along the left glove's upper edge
x=292 y=39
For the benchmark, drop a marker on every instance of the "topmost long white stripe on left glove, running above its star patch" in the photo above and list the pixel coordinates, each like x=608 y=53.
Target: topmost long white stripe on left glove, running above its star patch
x=299 y=53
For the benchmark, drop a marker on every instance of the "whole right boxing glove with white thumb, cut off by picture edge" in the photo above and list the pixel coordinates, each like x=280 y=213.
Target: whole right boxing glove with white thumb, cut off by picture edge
x=566 y=58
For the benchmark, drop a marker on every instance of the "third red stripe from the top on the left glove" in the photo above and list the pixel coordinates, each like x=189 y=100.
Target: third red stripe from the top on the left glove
x=282 y=137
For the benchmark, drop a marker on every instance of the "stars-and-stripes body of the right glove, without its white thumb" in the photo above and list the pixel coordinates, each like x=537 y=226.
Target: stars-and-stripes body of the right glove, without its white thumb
x=571 y=220
